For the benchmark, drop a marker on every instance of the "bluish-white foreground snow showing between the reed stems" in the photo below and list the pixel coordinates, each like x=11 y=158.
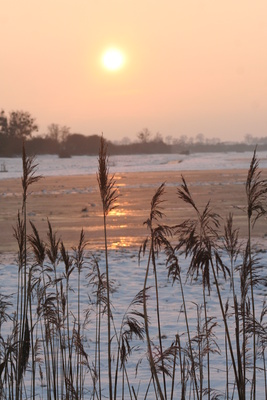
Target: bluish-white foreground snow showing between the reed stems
x=128 y=277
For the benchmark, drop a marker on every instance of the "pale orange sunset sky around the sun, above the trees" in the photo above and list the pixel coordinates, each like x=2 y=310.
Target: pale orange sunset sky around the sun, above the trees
x=194 y=66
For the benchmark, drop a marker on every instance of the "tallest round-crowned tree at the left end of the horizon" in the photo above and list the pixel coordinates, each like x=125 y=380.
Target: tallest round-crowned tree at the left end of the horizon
x=21 y=124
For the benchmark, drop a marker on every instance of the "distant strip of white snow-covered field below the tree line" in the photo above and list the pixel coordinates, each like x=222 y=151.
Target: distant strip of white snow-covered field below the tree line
x=83 y=165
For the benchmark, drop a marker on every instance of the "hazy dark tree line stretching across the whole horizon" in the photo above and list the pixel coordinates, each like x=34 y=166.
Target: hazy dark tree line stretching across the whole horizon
x=20 y=126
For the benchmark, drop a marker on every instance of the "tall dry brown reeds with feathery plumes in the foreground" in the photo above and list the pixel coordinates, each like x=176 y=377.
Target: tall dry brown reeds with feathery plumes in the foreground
x=62 y=338
